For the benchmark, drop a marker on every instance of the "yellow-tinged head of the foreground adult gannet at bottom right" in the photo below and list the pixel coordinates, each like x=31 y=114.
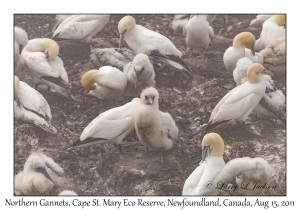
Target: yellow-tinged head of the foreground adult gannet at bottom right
x=212 y=145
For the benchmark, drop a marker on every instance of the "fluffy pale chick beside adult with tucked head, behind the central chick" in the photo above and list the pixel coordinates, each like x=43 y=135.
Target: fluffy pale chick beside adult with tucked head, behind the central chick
x=142 y=72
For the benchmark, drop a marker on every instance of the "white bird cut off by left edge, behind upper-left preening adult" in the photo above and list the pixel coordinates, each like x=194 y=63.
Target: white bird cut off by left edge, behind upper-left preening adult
x=21 y=39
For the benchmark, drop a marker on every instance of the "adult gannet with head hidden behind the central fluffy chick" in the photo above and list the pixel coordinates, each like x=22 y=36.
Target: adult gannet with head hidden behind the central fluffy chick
x=111 y=126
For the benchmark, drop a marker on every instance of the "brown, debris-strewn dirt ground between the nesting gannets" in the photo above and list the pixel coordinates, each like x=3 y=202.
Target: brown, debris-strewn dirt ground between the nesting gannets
x=102 y=169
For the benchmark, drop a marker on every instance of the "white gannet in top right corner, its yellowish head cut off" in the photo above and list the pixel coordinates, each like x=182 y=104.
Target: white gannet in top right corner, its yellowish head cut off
x=272 y=29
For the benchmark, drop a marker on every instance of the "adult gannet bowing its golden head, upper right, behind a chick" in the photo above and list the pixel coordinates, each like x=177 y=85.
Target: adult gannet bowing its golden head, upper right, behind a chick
x=237 y=50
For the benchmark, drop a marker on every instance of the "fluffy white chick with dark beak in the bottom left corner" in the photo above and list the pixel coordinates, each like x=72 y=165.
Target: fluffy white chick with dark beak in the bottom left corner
x=38 y=176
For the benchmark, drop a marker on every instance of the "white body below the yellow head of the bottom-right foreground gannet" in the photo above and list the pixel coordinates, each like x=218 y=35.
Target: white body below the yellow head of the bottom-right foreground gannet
x=203 y=180
